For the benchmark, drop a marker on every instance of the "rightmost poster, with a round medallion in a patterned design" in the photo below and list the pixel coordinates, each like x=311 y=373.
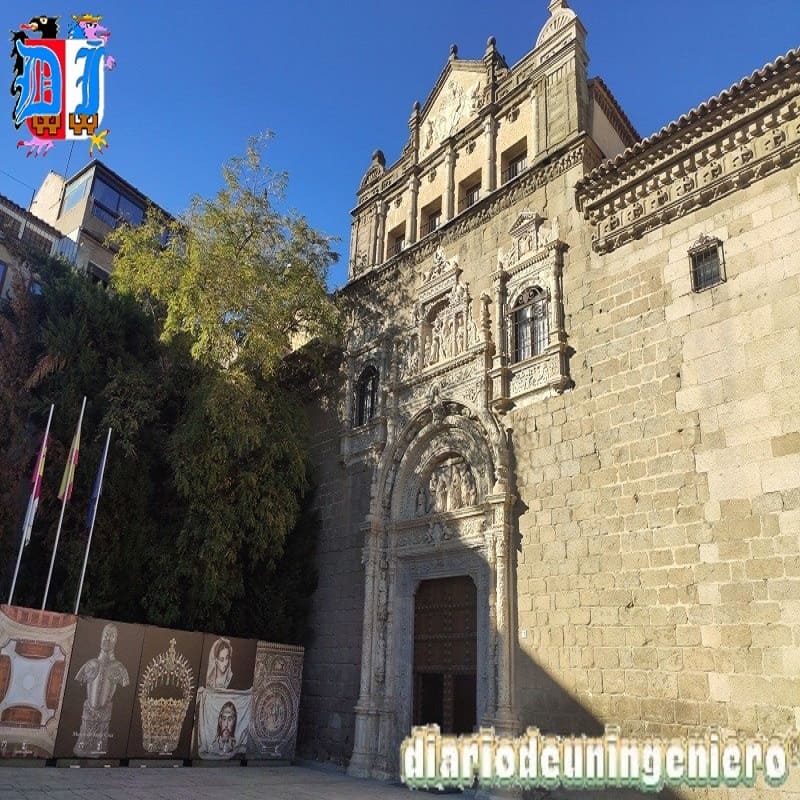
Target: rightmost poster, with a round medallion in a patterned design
x=276 y=701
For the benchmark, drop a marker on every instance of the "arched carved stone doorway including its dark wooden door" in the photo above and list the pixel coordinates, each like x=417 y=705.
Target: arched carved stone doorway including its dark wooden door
x=439 y=513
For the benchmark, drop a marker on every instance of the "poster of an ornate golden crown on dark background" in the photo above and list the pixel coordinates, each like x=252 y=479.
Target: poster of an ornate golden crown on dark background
x=163 y=708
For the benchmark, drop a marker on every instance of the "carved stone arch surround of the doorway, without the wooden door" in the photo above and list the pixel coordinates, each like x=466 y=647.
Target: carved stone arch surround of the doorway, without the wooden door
x=408 y=541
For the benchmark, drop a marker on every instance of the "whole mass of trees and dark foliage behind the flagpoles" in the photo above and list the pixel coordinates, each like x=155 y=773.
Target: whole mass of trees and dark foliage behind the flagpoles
x=185 y=359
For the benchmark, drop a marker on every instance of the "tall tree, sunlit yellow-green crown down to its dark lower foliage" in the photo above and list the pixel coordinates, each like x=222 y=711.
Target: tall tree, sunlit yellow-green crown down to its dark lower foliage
x=243 y=285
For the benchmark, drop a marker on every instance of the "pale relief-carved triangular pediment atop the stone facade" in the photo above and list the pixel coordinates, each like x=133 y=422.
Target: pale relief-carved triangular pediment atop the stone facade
x=455 y=101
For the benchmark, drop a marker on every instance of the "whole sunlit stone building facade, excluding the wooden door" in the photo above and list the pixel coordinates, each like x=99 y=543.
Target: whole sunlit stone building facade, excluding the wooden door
x=625 y=493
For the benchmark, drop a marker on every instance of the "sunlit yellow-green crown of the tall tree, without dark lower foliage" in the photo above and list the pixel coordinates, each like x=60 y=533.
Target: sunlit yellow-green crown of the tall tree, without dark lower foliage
x=243 y=280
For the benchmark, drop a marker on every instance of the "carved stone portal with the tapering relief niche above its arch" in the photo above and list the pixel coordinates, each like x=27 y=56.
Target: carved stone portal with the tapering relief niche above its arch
x=440 y=507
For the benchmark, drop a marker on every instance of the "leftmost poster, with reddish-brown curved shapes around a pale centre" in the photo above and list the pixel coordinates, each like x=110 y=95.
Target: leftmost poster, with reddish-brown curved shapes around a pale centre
x=35 y=649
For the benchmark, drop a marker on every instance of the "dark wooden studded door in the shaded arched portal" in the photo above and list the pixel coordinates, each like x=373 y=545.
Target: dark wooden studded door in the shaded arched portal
x=445 y=654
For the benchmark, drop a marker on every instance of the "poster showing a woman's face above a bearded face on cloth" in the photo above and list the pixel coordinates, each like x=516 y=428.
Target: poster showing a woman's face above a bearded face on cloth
x=222 y=717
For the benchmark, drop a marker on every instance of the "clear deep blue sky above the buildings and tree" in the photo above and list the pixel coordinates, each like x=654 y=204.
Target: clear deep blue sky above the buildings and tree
x=335 y=81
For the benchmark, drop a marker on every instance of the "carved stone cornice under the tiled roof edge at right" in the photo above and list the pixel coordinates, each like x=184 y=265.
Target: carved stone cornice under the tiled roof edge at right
x=735 y=139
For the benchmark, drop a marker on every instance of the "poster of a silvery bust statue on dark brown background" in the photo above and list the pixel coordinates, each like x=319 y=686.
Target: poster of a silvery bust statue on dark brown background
x=100 y=690
